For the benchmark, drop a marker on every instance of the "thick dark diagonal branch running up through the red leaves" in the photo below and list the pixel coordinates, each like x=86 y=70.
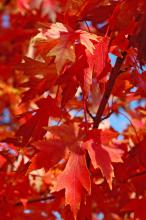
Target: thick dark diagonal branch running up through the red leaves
x=108 y=90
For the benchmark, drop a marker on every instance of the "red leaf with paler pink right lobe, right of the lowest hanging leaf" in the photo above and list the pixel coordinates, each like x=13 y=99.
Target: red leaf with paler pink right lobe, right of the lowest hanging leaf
x=102 y=156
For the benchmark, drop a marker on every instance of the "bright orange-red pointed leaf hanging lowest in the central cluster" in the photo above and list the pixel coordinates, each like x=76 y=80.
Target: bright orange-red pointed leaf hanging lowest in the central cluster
x=73 y=179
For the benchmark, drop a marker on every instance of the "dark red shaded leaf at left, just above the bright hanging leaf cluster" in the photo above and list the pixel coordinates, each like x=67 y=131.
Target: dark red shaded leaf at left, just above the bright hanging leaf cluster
x=34 y=127
